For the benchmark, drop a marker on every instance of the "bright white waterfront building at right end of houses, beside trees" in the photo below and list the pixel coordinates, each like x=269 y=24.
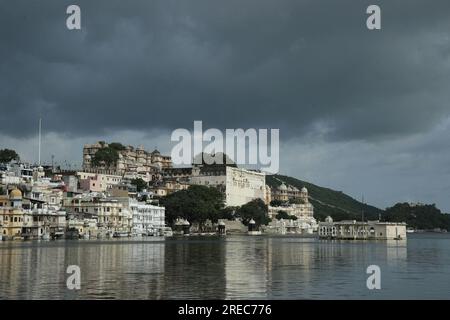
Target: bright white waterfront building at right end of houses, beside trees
x=146 y=218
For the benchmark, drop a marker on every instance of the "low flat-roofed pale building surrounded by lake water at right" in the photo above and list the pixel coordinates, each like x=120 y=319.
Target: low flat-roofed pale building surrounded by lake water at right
x=359 y=230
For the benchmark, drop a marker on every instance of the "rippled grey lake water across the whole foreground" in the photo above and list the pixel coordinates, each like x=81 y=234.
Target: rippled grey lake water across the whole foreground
x=232 y=267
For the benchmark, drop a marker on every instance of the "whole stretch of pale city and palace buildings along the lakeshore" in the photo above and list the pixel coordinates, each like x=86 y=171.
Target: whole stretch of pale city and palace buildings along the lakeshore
x=100 y=200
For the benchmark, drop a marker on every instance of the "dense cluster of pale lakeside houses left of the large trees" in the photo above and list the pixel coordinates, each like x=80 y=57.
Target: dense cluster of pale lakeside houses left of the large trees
x=39 y=207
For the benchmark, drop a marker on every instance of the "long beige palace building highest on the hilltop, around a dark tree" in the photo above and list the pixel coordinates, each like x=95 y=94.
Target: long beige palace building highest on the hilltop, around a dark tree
x=131 y=160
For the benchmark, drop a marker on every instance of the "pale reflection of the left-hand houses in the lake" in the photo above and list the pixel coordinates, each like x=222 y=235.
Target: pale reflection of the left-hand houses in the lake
x=109 y=270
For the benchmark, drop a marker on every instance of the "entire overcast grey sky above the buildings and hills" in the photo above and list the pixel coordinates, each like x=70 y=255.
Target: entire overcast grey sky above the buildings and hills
x=365 y=112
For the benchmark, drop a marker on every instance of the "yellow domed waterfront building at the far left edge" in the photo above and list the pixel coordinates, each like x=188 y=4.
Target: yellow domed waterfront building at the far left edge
x=11 y=215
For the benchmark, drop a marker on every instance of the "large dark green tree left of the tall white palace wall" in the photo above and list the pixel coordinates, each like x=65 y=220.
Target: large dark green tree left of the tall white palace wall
x=196 y=204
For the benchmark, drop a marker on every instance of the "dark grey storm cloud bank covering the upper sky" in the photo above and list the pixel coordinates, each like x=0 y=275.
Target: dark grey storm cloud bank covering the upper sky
x=287 y=64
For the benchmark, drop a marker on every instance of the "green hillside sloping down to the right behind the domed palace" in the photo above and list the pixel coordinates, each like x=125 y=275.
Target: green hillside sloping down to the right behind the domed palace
x=328 y=202
